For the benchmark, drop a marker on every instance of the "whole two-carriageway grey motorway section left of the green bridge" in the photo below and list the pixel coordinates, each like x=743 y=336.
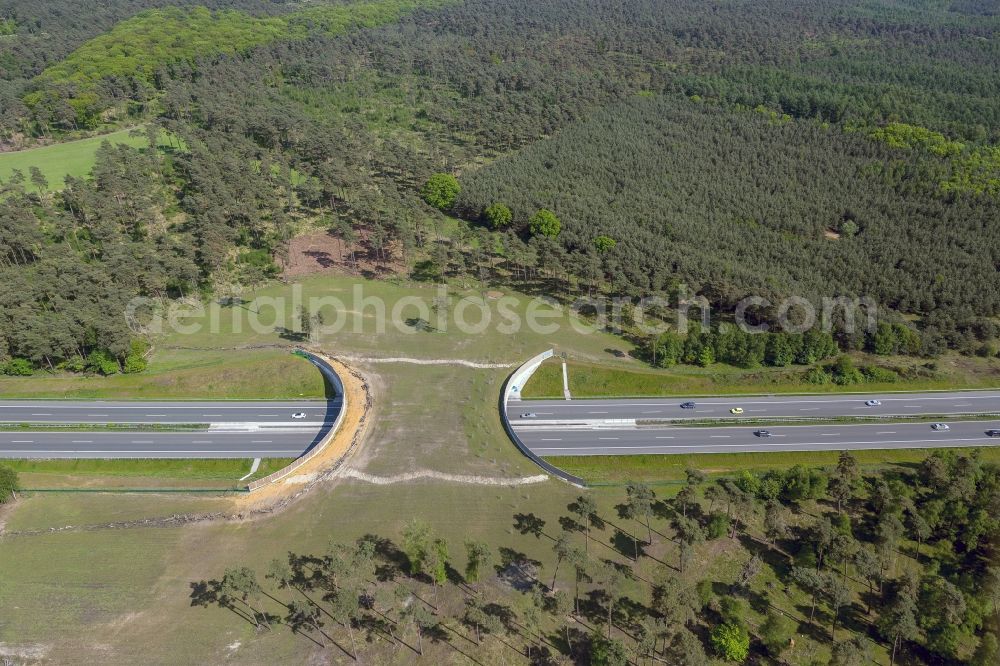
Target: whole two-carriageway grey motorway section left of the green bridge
x=230 y=429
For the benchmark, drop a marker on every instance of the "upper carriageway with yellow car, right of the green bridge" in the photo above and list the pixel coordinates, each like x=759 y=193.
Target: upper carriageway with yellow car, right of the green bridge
x=801 y=406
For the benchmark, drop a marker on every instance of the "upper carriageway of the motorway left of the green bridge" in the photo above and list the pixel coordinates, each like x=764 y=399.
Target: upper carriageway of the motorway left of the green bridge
x=56 y=411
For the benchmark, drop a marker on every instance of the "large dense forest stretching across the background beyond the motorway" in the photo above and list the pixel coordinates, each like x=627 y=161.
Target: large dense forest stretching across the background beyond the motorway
x=775 y=148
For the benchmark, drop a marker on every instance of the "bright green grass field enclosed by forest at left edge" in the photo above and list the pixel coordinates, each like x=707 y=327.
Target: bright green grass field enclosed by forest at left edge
x=73 y=158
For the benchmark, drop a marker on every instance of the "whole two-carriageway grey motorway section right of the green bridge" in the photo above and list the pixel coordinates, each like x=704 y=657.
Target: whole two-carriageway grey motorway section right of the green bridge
x=655 y=425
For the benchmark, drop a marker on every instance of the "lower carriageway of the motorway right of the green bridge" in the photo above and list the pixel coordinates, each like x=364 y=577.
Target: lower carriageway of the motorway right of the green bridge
x=556 y=440
